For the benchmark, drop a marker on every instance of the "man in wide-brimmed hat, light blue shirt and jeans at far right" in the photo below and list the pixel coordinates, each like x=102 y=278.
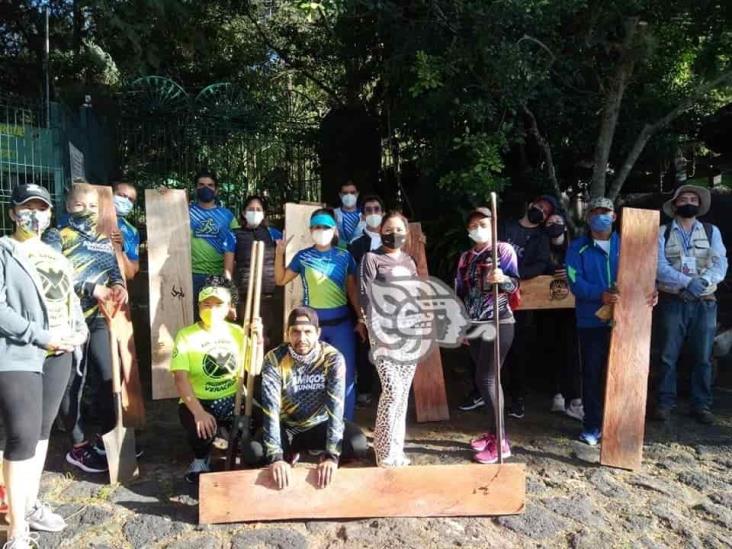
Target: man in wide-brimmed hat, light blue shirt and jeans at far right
x=692 y=260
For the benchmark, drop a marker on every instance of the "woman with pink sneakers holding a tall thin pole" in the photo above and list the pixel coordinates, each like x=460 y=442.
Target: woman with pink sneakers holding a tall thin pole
x=474 y=281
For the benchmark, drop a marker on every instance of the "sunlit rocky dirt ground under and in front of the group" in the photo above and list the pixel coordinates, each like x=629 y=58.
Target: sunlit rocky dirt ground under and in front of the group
x=682 y=496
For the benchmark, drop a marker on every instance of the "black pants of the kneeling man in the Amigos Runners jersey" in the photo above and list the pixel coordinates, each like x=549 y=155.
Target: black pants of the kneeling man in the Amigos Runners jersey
x=354 y=446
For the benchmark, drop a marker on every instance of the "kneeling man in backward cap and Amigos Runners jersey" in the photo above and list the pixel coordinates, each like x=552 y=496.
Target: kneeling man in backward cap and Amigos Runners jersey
x=303 y=390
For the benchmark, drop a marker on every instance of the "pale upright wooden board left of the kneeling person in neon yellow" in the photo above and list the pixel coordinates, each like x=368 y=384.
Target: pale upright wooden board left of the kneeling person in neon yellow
x=171 y=283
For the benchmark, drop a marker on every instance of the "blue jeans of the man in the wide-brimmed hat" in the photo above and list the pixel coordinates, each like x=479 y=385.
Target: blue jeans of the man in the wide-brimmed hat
x=694 y=323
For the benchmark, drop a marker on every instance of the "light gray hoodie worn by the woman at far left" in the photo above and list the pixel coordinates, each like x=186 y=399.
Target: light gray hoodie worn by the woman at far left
x=24 y=335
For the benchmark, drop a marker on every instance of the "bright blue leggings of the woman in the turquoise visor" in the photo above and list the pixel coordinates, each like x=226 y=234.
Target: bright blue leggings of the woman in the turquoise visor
x=336 y=328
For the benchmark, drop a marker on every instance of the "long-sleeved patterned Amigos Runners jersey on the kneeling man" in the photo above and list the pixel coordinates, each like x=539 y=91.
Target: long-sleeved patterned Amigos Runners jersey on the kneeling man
x=299 y=396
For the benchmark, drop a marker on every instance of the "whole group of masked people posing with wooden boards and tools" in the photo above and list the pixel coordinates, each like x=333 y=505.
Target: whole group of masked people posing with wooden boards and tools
x=56 y=285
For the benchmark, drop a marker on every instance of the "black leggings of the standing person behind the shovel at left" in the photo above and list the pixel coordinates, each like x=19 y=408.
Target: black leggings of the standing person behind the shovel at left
x=96 y=376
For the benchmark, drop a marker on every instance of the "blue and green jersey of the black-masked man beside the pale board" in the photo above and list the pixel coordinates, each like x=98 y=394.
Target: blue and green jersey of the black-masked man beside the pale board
x=211 y=238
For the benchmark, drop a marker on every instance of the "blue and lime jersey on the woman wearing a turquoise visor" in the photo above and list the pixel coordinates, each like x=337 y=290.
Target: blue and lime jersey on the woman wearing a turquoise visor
x=324 y=276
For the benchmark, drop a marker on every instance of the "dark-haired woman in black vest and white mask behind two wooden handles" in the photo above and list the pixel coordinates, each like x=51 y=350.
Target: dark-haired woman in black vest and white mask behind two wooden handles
x=254 y=227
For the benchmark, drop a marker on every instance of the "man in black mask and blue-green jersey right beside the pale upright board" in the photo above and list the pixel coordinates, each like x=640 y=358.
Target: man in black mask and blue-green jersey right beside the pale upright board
x=212 y=241
